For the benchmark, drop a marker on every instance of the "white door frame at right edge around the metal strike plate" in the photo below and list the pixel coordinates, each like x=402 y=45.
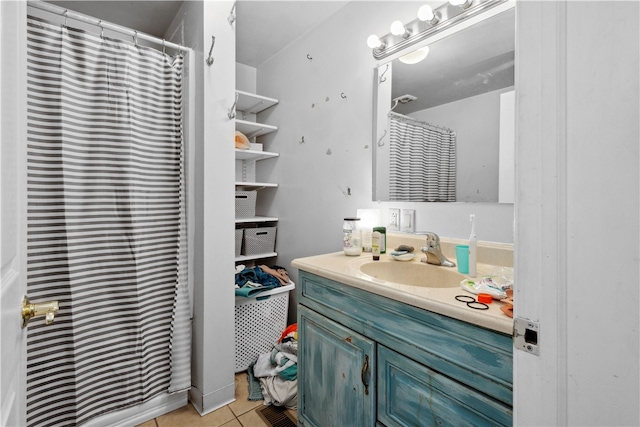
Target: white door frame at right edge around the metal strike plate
x=578 y=212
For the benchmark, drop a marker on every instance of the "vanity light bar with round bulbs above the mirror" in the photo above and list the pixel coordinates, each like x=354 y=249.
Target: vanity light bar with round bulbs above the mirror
x=428 y=23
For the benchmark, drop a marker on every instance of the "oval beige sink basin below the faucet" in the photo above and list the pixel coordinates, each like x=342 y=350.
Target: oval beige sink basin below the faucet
x=413 y=273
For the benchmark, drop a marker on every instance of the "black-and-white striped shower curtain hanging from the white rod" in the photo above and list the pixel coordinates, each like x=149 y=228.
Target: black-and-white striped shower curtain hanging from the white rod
x=106 y=225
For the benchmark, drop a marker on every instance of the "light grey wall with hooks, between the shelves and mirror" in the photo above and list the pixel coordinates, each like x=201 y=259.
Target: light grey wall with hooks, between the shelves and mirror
x=315 y=176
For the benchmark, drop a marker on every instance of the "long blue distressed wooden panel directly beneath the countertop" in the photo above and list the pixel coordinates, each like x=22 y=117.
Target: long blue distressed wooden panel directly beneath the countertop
x=469 y=354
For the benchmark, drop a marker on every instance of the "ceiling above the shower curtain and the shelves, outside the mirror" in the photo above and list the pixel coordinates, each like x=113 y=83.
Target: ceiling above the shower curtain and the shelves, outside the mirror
x=263 y=28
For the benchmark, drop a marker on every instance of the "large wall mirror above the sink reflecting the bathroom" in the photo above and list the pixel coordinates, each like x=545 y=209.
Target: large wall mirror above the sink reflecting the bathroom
x=464 y=85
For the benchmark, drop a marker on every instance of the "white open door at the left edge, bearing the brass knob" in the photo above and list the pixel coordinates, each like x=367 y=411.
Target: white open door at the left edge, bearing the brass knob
x=13 y=283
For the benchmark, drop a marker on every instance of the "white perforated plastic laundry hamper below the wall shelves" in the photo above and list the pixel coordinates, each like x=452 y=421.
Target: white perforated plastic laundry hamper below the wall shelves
x=260 y=322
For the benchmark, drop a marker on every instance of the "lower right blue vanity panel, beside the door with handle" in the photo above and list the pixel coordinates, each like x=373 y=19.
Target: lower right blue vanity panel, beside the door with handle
x=410 y=394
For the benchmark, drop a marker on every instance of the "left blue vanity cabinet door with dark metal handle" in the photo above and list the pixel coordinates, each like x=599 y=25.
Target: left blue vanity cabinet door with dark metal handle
x=335 y=385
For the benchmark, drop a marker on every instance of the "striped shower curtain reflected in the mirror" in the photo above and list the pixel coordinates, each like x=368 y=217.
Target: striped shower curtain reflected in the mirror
x=422 y=164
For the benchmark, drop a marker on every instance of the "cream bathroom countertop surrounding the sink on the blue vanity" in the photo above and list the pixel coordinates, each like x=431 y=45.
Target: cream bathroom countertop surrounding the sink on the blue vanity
x=345 y=269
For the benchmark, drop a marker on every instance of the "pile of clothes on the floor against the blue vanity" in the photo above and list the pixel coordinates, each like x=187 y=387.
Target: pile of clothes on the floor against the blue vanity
x=277 y=371
